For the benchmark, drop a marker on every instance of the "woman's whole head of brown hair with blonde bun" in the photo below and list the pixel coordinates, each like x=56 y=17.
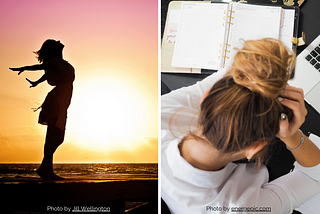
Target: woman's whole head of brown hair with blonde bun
x=242 y=107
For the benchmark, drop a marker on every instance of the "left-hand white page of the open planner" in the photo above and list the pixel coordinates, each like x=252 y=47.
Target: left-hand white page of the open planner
x=200 y=33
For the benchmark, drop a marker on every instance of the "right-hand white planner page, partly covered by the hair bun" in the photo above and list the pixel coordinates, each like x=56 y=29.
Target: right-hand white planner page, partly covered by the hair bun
x=252 y=22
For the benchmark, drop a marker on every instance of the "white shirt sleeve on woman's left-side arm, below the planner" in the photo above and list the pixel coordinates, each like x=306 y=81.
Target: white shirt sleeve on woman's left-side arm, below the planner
x=186 y=98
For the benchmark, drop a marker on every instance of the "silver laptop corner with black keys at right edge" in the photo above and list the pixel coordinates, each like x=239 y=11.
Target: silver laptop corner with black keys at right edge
x=307 y=73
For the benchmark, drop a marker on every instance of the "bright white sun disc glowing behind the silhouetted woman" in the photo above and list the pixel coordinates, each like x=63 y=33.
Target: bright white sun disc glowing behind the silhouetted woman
x=107 y=110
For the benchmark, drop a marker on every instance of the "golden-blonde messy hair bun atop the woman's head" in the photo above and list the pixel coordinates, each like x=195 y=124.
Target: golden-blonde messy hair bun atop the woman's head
x=263 y=66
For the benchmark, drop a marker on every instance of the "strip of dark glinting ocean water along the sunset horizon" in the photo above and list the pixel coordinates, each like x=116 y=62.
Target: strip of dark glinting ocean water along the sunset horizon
x=29 y=170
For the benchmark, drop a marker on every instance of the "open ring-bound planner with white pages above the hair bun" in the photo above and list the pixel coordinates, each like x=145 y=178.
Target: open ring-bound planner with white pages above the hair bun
x=208 y=34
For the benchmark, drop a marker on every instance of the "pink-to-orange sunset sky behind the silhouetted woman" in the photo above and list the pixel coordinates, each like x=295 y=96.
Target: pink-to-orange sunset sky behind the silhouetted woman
x=113 y=45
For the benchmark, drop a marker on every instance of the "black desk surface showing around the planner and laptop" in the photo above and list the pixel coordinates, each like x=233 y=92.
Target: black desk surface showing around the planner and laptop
x=309 y=15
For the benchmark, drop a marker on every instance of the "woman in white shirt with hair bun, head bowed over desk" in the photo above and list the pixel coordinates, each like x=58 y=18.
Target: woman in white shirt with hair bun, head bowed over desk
x=232 y=115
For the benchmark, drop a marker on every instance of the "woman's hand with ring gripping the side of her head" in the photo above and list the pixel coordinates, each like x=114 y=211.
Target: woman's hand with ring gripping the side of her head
x=292 y=98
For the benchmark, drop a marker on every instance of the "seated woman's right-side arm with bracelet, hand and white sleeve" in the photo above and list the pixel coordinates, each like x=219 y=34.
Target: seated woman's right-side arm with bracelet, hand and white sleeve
x=291 y=190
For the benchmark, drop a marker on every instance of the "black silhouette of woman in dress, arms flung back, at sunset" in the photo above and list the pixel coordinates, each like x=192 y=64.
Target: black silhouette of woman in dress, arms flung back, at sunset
x=58 y=73
